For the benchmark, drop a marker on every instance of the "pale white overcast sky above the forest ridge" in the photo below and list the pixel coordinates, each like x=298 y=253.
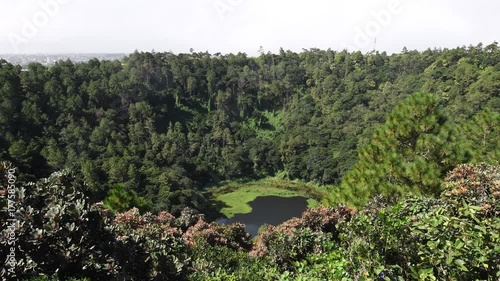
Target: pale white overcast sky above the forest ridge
x=122 y=26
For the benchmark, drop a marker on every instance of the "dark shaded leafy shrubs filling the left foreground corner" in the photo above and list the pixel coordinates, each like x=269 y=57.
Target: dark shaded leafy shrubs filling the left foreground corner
x=58 y=233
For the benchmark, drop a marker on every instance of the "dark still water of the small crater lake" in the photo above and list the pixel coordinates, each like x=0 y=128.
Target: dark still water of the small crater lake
x=269 y=210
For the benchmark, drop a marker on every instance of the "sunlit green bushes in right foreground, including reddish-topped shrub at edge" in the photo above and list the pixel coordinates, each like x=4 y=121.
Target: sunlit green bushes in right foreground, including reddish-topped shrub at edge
x=453 y=238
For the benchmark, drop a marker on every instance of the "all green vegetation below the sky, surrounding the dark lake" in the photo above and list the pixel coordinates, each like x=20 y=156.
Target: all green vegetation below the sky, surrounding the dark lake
x=110 y=165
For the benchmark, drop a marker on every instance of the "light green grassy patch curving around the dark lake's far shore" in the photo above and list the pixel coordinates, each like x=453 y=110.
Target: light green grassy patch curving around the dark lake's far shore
x=235 y=196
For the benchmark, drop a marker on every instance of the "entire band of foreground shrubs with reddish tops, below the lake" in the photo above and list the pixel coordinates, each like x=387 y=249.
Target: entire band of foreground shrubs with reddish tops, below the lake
x=452 y=237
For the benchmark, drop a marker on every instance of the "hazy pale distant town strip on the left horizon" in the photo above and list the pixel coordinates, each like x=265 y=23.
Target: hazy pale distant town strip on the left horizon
x=51 y=59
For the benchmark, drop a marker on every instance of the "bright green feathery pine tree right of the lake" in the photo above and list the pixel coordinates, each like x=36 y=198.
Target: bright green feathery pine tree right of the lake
x=410 y=153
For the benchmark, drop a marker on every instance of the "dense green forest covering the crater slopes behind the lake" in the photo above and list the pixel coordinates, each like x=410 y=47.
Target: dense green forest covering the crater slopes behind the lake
x=163 y=126
